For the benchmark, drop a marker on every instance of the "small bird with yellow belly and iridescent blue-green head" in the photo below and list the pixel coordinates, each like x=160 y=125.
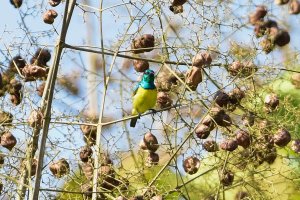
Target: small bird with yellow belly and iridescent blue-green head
x=144 y=96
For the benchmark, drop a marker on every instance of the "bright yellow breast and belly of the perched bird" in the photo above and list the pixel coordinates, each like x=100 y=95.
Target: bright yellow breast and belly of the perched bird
x=143 y=100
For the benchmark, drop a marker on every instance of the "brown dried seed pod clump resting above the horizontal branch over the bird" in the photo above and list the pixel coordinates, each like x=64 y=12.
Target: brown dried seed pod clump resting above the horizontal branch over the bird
x=142 y=44
